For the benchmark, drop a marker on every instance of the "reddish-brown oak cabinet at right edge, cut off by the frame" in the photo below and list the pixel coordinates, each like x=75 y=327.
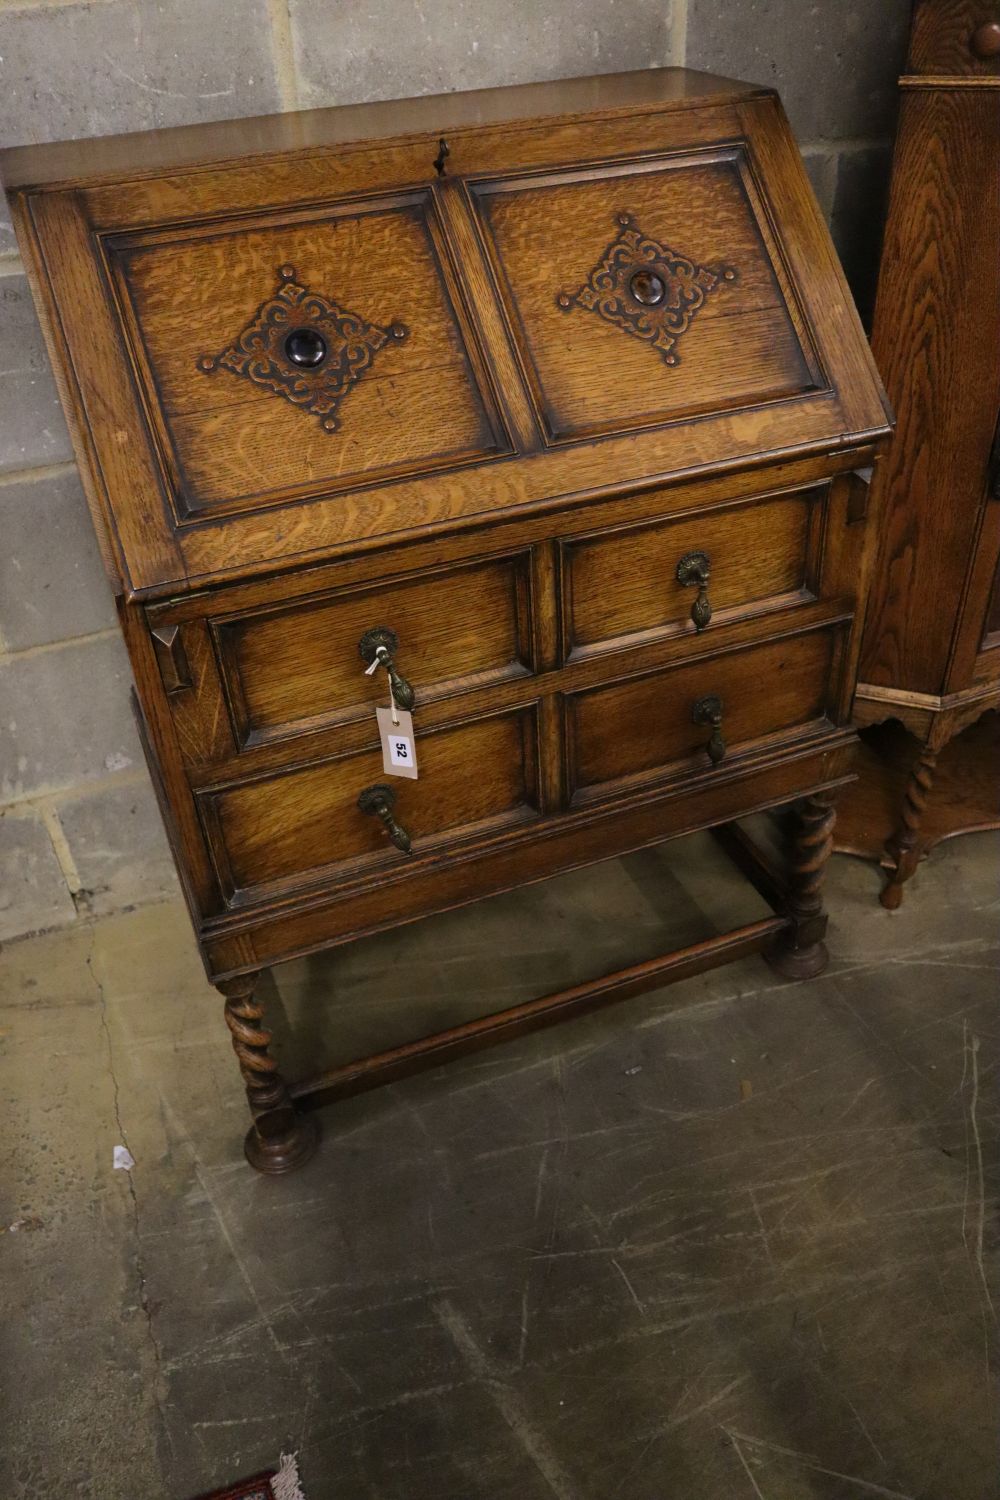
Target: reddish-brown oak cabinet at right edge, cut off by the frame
x=932 y=646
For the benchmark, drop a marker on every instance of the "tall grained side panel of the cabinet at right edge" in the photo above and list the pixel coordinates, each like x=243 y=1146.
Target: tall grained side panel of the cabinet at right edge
x=939 y=296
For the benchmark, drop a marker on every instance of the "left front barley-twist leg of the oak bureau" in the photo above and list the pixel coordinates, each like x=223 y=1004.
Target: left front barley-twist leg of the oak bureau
x=281 y=1138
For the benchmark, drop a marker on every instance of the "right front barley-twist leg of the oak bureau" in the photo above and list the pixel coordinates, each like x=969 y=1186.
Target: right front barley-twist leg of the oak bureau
x=801 y=953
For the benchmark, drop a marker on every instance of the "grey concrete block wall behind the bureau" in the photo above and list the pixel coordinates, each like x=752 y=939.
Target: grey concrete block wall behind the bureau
x=79 y=827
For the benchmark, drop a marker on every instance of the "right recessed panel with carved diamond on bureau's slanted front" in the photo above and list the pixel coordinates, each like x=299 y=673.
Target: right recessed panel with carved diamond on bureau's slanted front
x=645 y=295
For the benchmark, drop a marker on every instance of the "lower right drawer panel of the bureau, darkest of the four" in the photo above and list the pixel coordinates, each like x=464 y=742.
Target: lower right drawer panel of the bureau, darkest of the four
x=645 y=727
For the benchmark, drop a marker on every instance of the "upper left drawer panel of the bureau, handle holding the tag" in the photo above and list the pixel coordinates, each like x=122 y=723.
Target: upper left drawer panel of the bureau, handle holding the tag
x=299 y=668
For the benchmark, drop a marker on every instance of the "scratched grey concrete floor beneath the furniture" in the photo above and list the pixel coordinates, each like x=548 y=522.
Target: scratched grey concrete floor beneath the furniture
x=731 y=1241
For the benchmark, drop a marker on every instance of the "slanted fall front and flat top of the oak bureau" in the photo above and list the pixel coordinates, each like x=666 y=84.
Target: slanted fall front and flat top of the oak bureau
x=290 y=338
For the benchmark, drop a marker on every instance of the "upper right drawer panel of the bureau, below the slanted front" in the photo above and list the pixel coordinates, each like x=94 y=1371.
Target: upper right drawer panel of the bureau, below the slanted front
x=624 y=584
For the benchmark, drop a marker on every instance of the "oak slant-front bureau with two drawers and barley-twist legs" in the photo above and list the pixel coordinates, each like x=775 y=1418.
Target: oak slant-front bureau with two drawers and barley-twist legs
x=546 y=404
